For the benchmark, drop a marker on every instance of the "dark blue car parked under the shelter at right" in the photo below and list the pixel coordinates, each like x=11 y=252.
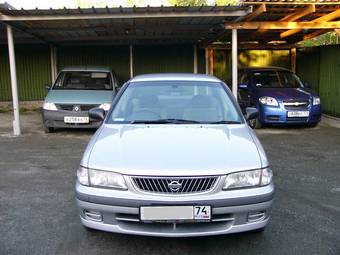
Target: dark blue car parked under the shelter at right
x=279 y=95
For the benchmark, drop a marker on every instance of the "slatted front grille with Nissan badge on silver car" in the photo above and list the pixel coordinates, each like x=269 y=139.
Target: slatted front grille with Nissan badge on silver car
x=175 y=185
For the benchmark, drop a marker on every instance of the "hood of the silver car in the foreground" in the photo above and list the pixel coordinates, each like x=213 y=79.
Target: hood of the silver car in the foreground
x=174 y=150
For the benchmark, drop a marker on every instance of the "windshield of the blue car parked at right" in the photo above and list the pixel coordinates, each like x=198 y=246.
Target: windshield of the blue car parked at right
x=276 y=79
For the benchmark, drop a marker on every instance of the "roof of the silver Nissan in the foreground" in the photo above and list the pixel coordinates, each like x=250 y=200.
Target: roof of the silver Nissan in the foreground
x=174 y=77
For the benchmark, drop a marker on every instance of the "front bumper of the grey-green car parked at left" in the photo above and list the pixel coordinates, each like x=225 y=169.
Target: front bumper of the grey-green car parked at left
x=55 y=119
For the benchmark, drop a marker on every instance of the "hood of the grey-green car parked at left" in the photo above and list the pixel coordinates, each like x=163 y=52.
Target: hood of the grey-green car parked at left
x=79 y=96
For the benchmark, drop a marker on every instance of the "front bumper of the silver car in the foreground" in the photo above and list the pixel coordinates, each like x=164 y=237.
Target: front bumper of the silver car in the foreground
x=119 y=211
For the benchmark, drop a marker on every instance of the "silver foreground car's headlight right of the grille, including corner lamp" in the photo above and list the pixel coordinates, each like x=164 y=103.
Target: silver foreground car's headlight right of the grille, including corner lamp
x=252 y=178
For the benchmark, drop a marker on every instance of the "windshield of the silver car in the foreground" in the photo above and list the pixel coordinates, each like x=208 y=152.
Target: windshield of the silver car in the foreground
x=176 y=102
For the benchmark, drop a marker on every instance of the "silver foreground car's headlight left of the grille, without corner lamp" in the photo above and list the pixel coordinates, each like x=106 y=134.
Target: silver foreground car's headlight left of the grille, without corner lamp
x=106 y=179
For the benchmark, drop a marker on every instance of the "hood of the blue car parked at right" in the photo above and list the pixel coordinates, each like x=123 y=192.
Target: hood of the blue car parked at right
x=285 y=93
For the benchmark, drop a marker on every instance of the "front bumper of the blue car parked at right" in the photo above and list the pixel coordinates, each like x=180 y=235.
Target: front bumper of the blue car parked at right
x=279 y=115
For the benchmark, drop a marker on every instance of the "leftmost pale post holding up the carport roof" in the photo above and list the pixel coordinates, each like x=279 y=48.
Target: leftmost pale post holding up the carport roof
x=11 y=54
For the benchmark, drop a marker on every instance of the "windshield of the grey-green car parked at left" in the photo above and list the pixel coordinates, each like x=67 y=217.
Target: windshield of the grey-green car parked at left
x=84 y=81
